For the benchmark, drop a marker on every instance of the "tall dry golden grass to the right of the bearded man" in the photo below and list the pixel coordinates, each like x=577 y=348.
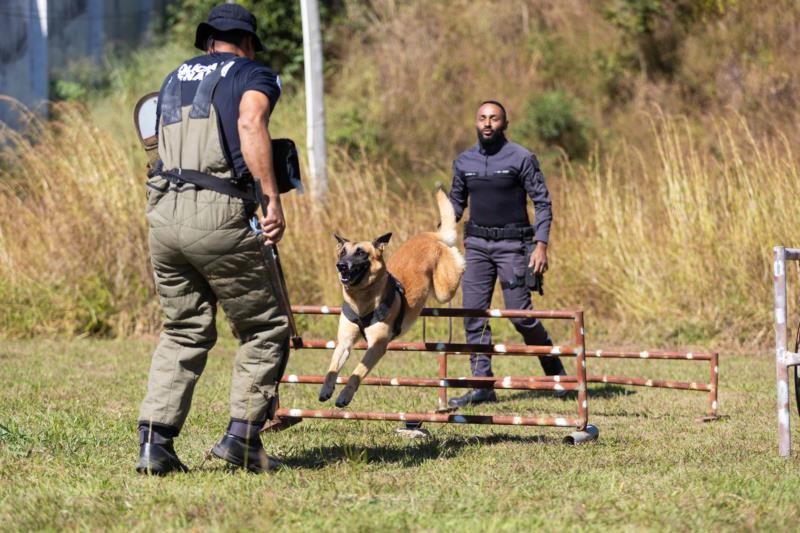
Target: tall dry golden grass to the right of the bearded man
x=678 y=245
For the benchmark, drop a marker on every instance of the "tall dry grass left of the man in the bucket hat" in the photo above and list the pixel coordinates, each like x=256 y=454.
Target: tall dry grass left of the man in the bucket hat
x=72 y=247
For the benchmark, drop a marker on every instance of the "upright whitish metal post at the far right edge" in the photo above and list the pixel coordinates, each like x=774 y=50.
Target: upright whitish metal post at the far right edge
x=781 y=369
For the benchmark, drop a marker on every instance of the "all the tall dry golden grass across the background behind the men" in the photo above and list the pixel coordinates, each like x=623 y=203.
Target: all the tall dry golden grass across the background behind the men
x=673 y=245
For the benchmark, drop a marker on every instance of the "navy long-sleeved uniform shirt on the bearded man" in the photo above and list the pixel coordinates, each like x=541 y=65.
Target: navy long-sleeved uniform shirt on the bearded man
x=498 y=184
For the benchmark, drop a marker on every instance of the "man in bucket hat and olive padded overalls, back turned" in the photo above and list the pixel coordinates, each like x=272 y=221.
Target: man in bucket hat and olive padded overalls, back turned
x=213 y=115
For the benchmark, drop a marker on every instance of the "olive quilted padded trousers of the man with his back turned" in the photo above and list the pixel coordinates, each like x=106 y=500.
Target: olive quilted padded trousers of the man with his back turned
x=203 y=252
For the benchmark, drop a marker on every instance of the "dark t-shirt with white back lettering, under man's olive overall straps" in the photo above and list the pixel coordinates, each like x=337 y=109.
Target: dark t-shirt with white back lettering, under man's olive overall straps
x=246 y=75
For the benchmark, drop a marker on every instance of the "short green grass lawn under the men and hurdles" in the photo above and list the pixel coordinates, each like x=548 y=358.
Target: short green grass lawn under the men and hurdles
x=68 y=446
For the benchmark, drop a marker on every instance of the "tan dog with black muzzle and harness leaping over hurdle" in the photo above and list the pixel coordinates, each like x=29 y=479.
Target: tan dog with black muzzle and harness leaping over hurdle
x=426 y=263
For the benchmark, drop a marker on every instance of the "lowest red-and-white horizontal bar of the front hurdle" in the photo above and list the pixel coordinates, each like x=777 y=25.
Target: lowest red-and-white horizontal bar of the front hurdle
x=503 y=420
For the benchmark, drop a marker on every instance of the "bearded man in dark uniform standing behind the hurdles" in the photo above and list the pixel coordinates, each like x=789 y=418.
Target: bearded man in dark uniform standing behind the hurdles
x=497 y=176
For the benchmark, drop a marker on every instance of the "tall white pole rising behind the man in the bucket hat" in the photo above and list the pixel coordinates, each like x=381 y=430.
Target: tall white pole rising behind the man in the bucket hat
x=315 y=106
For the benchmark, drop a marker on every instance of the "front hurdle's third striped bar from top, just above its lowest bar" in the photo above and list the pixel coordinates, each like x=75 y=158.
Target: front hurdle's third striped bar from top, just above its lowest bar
x=507 y=382
